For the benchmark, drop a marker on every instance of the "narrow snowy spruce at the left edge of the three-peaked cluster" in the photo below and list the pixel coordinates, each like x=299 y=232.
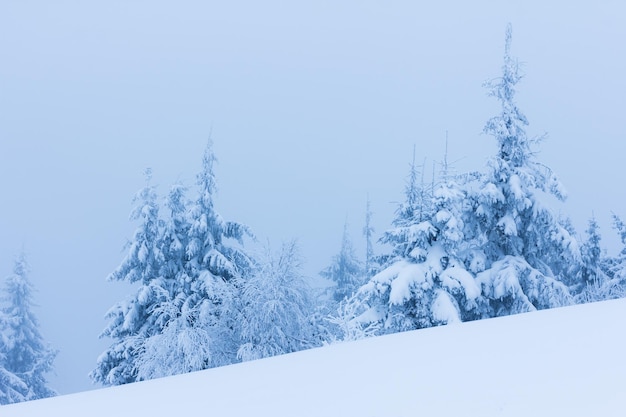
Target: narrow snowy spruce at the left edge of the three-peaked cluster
x=131 y=321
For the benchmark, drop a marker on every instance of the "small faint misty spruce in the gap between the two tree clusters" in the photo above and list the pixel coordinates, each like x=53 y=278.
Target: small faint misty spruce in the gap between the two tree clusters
x=345 y=270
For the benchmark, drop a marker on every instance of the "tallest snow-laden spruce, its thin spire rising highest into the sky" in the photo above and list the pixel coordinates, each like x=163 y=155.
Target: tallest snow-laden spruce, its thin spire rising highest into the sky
x=526 y=253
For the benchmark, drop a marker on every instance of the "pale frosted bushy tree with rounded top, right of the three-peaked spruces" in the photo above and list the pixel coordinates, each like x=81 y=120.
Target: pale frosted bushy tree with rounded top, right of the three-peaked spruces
x=276 y=307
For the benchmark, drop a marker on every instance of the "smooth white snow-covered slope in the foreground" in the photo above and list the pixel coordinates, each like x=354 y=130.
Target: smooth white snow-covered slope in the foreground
x=566 y=361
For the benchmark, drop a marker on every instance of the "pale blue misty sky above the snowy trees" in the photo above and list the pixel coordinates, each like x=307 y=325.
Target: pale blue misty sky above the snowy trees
x=312 y=105
